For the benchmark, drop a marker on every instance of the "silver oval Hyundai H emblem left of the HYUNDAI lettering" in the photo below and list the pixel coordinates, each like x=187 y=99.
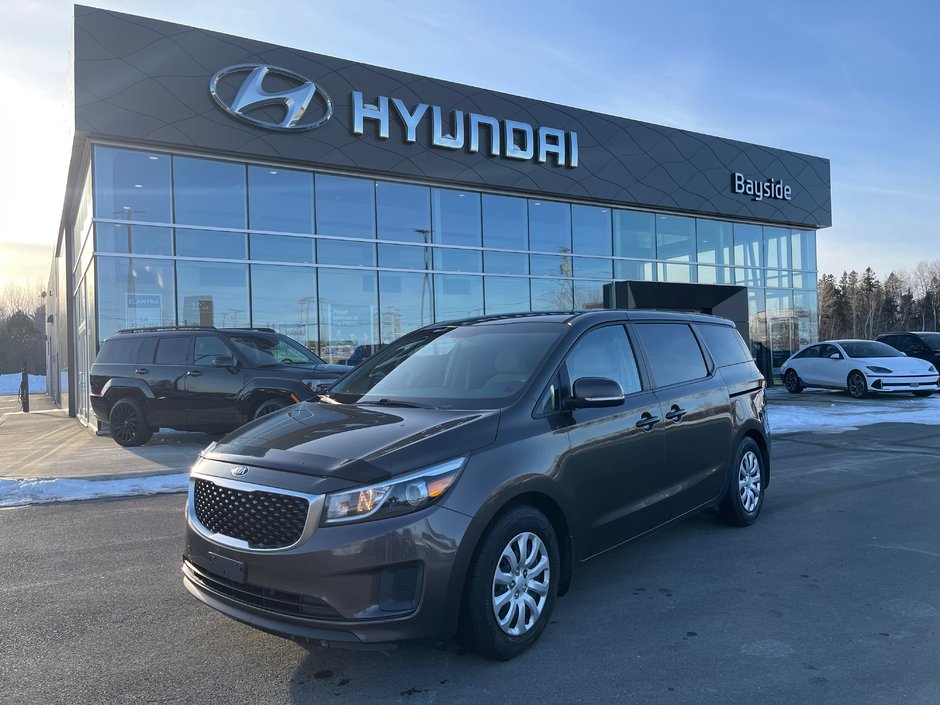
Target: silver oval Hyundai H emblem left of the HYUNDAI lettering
x=240 y=92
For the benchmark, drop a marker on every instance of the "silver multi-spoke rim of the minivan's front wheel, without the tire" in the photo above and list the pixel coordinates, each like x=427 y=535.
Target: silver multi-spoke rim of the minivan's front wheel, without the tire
x=521 y=583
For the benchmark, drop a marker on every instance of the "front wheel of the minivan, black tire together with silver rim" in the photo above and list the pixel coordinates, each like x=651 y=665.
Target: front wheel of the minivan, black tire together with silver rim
x=490 y=595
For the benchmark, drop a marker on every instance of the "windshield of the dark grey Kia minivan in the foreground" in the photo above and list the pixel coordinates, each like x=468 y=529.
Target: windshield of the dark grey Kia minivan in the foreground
x=454 y=367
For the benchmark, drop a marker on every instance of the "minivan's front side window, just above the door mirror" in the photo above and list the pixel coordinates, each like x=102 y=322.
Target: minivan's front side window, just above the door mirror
x=605 y=352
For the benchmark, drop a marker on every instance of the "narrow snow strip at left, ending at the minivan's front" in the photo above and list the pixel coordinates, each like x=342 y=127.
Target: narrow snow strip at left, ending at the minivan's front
x=16 y=493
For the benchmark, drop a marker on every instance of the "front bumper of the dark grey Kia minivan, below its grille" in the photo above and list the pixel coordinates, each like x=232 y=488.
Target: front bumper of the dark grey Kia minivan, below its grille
x=388 y=580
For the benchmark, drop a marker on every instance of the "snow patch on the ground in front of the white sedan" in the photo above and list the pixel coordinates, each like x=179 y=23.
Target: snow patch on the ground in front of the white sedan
x=844 y=415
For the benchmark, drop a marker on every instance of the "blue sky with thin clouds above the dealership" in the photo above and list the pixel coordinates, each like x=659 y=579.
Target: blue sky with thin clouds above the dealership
x=854 y=82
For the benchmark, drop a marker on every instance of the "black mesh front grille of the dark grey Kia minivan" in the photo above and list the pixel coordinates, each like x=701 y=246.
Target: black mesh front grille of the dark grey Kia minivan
x=261 y=519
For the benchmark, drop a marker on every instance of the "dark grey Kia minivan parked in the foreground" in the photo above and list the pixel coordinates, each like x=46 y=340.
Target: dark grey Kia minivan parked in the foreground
x=456 y=479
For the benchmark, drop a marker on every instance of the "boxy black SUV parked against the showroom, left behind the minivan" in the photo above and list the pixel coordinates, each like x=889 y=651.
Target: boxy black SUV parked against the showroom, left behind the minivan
x=200 y=379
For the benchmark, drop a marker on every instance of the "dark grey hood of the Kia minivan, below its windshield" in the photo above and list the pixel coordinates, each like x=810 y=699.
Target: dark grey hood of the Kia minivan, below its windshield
x=361 y=444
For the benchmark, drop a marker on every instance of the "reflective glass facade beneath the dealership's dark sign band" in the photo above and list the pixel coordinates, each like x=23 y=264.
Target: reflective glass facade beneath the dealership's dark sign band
x=340 y=262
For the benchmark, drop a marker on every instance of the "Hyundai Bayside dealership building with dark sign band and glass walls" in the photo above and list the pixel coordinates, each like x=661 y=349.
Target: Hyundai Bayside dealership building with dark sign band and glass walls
x=216 y=180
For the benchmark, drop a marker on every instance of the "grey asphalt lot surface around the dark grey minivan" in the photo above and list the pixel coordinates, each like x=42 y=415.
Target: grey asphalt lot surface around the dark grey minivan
x=830 y=598
